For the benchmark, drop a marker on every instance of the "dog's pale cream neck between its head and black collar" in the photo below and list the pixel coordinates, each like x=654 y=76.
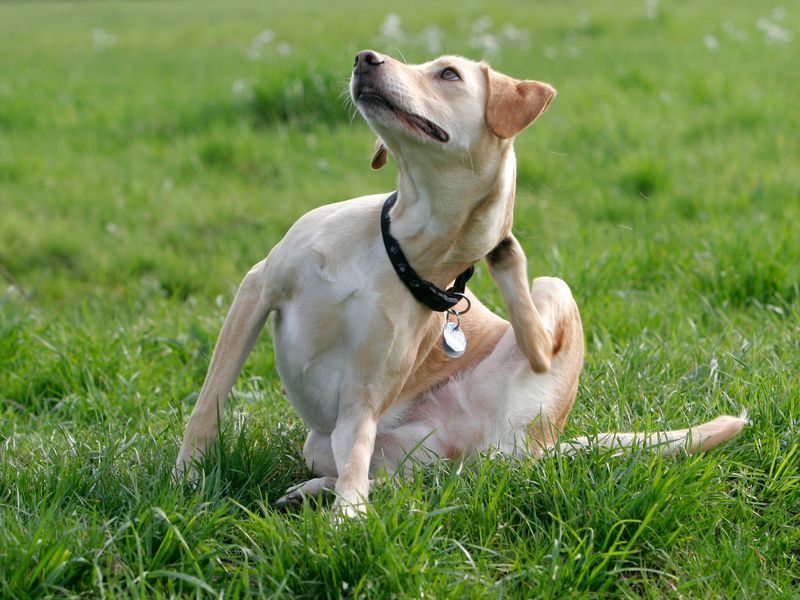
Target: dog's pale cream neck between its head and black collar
x=448 y=219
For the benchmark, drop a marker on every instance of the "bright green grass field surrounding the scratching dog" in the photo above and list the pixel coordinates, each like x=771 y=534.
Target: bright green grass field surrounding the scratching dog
x=150 y=152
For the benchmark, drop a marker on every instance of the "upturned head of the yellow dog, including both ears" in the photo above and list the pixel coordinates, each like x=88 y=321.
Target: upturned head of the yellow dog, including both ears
x=450 y=104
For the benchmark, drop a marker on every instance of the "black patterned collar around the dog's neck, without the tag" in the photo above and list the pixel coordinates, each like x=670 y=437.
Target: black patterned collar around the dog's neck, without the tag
x=424 y=291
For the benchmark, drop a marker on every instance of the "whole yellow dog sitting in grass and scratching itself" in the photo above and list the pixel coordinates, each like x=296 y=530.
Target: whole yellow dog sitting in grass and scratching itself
x=377 y=354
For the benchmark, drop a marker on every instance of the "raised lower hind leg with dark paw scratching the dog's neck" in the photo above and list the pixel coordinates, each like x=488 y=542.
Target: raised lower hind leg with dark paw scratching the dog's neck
x=509 y=269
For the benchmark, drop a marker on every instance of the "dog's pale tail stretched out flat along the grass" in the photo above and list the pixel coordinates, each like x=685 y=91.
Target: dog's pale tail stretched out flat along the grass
x=694 y=439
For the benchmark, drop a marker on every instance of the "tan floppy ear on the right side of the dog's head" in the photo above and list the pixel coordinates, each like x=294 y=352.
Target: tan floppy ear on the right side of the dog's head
x=511 y=104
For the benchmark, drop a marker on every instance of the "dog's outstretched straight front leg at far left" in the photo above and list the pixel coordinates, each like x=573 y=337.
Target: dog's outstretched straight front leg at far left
x=240 y=331
